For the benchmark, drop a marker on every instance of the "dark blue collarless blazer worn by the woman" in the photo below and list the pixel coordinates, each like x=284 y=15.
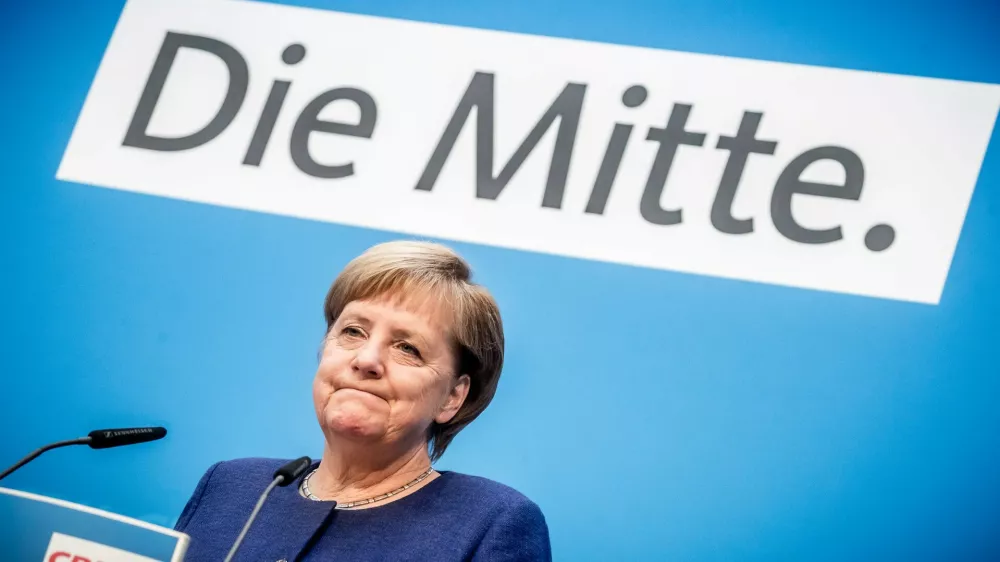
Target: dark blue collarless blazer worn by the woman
x=455 y=517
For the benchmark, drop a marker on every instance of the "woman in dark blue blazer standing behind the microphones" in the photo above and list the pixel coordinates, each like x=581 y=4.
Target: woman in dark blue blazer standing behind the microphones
x=412 y=355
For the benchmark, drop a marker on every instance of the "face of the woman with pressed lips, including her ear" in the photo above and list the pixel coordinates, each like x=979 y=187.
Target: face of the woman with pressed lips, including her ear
x=387 y=371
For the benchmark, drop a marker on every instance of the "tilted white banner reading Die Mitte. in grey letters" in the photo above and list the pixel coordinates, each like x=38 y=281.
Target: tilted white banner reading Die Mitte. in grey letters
x=837 y=180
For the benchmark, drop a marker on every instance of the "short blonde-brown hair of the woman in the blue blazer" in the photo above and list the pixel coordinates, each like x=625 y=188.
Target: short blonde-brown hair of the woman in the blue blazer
x=425 y=269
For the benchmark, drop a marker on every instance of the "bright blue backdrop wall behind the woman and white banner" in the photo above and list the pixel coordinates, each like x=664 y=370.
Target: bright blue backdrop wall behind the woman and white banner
x=651 y=414
